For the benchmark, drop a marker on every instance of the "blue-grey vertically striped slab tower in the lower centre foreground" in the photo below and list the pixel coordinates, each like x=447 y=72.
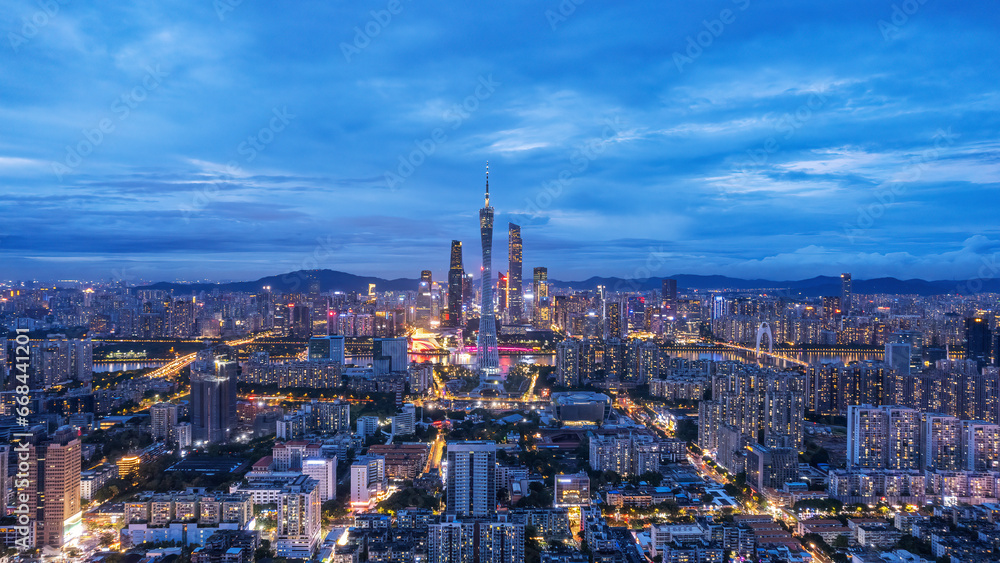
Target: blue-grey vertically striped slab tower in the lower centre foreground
x=471 y=479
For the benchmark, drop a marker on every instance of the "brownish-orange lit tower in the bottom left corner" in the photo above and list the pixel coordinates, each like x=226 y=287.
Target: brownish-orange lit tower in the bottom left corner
x=54 y=485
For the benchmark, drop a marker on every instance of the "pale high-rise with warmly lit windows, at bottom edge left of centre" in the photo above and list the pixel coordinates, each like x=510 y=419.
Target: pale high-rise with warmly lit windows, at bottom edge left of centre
x=299 y=519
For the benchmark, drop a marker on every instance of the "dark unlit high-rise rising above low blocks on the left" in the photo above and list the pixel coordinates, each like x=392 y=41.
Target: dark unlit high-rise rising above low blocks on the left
x=213 y=400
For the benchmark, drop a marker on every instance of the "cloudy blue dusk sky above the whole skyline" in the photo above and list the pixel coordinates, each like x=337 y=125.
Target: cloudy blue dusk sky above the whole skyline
x=230 y=140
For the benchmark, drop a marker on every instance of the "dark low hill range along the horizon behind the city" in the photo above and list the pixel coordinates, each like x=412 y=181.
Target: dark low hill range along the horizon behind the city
x=332 y=280
